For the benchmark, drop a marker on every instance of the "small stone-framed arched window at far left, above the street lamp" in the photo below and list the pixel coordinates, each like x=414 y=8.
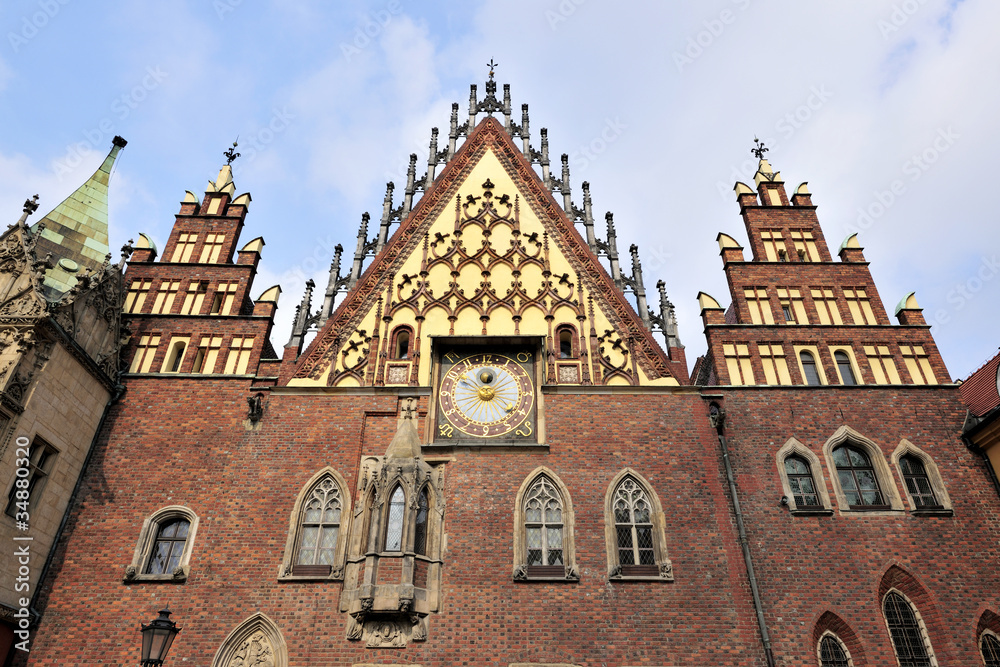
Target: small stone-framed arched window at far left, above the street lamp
x=166 y=541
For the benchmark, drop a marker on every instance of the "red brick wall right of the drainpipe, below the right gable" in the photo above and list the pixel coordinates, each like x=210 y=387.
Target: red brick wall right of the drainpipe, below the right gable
x=814 y=569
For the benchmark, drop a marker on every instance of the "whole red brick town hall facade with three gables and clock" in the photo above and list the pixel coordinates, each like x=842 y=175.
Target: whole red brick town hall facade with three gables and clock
x=484 y=457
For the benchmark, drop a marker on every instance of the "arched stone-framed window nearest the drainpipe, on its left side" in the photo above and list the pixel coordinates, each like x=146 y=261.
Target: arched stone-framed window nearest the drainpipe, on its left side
x=634 y=530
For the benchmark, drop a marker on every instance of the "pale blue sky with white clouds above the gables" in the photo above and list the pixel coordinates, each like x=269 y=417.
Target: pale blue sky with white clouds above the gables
x=656 y=103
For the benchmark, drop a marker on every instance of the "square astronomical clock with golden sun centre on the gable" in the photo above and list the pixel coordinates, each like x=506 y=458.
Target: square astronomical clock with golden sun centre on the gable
x=486 y=395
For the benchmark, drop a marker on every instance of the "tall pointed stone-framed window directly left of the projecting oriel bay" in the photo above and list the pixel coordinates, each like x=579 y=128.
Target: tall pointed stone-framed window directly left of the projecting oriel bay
x=316 y=545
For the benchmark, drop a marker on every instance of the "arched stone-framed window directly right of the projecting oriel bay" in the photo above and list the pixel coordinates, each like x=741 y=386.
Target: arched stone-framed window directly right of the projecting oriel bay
x=543 y=529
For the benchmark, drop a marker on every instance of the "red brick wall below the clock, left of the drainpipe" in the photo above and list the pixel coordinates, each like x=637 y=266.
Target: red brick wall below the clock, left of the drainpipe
x=243 y=485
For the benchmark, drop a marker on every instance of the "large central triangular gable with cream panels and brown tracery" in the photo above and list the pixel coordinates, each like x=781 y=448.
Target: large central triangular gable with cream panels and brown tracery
x=487 y=252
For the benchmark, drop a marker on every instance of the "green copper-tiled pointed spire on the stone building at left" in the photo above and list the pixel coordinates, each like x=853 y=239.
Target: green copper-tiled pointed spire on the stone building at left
x=76 y=231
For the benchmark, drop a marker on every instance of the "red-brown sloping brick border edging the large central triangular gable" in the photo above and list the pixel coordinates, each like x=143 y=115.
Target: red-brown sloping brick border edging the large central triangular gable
x=367 y=295
